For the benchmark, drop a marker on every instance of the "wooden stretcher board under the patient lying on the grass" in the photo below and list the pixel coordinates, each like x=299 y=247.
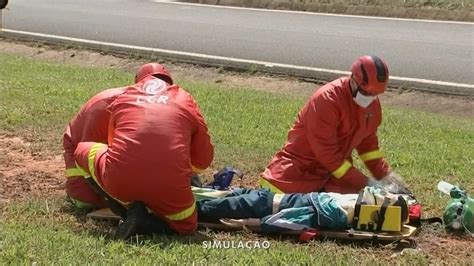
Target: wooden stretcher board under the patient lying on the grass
x=253 y=226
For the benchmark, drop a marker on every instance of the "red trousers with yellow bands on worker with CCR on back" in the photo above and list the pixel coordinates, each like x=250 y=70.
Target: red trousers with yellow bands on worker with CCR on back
x=175 y=205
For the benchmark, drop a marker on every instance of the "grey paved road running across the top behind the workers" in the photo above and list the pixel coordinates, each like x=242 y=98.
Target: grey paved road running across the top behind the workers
x=414 y=49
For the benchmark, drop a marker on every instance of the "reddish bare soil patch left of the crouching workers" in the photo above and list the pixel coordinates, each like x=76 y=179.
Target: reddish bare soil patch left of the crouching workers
x=24 y=176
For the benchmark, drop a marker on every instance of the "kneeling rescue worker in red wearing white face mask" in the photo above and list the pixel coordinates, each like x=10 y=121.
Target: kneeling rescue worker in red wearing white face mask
x=341 y=116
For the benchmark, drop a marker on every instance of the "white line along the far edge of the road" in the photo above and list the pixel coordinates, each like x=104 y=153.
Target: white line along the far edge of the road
x=311 y=13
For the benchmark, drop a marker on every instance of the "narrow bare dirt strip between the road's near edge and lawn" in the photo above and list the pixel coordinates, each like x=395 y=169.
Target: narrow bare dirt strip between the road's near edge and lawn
x=446 y=105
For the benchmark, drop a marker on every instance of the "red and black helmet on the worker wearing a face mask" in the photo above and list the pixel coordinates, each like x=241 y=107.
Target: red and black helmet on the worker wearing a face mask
x=371 y=74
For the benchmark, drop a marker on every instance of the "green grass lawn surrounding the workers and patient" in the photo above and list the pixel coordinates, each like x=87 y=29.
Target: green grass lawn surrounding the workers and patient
x=37 y=99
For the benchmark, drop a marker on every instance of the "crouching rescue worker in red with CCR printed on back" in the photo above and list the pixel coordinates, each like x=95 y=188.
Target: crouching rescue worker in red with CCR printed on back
x=157 y=139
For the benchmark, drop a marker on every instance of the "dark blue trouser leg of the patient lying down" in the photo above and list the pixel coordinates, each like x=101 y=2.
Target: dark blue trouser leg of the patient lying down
x=243 y=204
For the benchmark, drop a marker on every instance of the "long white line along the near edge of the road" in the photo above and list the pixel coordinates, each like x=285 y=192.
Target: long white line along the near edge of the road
x=229 y=59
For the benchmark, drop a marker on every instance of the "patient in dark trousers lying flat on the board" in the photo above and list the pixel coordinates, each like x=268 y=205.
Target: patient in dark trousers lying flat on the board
x=295 y=211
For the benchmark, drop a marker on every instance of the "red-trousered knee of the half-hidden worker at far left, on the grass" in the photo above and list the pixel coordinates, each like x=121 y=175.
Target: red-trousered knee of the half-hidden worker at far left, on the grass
x=82 y=195
